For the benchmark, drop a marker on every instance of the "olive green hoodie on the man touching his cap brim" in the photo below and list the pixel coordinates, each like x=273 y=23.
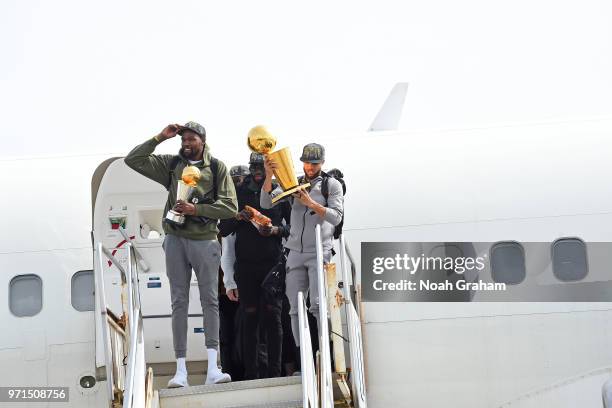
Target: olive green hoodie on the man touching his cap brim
x=157 y=168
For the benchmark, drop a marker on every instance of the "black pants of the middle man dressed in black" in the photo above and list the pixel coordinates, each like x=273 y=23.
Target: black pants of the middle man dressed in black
x=261 y=314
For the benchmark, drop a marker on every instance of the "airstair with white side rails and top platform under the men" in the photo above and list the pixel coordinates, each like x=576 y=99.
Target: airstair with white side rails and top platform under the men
x=132 y=383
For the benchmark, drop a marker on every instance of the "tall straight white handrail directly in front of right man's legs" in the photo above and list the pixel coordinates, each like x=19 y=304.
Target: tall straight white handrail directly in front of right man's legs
x=326 y=386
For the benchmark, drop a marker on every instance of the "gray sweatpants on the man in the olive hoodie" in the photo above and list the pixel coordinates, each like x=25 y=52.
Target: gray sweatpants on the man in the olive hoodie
x=183 y=255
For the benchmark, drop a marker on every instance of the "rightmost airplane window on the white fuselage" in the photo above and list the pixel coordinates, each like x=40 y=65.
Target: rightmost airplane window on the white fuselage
x=569 y=259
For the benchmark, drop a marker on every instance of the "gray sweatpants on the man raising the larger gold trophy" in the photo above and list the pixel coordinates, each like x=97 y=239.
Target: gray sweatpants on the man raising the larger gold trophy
x=302 y=277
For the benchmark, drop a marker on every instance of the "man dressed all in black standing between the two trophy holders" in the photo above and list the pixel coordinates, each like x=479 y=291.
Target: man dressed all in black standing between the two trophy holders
x=258 y=249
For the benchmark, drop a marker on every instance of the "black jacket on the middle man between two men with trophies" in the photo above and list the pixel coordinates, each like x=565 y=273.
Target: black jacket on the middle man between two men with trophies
x=251 y=246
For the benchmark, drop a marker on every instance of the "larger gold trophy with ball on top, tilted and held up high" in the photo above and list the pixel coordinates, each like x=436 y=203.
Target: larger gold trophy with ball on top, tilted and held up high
x=261 y=141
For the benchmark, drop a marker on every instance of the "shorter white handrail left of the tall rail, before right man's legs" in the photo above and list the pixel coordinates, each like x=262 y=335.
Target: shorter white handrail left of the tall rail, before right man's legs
x=309 y=374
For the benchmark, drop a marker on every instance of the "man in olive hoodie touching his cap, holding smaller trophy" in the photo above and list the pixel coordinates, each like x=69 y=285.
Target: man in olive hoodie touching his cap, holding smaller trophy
x=192 y=245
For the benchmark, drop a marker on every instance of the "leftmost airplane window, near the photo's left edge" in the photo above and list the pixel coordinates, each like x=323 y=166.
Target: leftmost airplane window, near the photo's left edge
x=25 y=295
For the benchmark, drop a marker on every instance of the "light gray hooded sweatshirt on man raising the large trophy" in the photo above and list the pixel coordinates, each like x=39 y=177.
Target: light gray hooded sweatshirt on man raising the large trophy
x=303 y=220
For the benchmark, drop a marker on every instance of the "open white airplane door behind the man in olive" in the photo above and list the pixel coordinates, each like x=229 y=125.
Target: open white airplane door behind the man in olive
x=125 y=199
